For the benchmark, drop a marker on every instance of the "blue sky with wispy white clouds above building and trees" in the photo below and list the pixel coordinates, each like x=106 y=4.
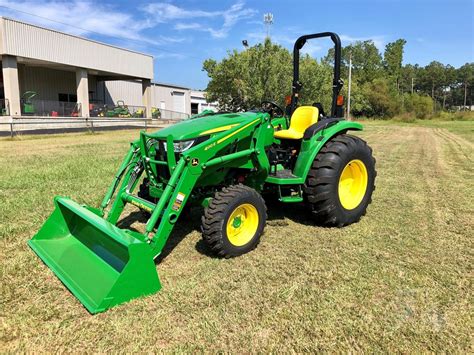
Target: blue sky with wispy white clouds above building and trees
x=180 y=35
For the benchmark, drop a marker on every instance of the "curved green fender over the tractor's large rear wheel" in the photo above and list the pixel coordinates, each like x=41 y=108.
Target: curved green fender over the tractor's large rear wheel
x=319 y=137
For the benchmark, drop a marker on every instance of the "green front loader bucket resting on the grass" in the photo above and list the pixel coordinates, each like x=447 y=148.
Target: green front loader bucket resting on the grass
x=100 y=263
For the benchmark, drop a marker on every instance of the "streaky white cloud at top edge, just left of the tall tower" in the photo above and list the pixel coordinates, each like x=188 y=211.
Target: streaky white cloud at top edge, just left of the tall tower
x=166 y=12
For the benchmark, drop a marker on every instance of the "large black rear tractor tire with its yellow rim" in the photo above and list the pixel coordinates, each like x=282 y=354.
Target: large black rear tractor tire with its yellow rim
x=340 y=183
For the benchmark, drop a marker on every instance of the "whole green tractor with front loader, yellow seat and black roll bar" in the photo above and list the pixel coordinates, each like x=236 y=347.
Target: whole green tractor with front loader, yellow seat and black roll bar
x=223 y=162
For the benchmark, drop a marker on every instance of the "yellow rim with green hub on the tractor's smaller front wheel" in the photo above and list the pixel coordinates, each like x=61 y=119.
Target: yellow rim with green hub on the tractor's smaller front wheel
x=242 y=224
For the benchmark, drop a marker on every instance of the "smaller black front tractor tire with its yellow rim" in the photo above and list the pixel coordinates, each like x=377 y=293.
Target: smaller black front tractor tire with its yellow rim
x=234 y=221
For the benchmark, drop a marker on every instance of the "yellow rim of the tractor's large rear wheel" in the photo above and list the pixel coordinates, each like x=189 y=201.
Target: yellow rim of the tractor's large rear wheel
x=353 y=184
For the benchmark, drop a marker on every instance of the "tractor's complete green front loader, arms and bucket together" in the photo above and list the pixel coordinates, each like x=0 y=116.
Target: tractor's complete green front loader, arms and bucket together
x=104 y=265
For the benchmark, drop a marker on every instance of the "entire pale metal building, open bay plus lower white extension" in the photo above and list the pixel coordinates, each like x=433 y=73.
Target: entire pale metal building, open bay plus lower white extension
x=70 y=75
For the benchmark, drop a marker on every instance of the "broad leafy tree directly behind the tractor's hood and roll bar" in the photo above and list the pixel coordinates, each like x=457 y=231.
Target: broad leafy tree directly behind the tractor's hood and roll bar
x=242 y=80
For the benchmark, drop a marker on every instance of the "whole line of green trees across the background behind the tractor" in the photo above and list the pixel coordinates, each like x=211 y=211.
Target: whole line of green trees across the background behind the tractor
x=381 y=87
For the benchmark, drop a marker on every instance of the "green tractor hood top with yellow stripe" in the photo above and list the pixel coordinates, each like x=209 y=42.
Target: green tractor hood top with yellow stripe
x=203 y=126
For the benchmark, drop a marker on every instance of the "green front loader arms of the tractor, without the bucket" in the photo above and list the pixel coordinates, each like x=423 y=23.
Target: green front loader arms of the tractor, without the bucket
x=184 y=175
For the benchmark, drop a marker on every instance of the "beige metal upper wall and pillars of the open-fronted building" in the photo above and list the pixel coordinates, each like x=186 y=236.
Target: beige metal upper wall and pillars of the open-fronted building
x=63 y=68
